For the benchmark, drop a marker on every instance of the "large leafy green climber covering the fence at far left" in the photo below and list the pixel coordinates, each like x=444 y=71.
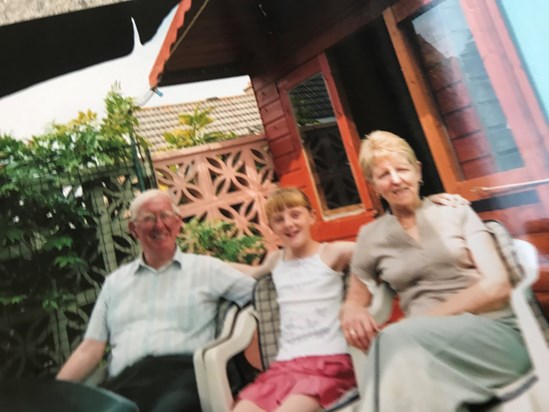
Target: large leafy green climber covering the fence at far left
x=45 y=214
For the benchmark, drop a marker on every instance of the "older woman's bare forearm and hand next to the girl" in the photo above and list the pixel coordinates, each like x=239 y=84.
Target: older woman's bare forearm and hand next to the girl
x=357 y=324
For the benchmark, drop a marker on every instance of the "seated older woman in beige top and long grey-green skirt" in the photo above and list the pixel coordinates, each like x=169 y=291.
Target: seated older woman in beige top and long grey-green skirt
x=459 y=339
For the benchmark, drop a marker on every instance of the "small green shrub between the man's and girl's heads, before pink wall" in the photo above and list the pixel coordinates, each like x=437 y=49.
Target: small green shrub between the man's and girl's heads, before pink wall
x=220 y=239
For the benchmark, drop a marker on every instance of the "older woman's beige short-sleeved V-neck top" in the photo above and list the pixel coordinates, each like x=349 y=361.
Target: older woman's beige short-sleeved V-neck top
x=426 y=272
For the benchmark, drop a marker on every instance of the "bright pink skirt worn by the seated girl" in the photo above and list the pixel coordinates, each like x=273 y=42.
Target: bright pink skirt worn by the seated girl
x=324 y=378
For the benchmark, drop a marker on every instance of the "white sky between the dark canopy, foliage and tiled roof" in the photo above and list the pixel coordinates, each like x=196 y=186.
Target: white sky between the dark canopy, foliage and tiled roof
x=31 y=110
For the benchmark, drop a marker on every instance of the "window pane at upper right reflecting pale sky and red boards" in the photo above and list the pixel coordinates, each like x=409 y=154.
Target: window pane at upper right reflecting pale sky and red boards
x=477 y=127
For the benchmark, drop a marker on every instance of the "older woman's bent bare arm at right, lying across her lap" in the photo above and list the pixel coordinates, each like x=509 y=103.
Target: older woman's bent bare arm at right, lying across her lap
x=490 y=293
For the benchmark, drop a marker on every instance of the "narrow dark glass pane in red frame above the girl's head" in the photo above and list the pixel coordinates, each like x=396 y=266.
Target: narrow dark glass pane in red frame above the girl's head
x=322 y=142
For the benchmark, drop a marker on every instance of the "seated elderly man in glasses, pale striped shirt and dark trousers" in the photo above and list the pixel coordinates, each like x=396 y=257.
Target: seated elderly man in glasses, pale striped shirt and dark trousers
x=154 y=312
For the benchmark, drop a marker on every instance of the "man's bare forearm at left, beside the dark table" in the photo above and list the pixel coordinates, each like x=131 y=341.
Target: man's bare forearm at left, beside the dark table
x=82 y=361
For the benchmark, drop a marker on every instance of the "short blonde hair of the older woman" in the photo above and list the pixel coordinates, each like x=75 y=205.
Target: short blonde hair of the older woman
x=379 y=144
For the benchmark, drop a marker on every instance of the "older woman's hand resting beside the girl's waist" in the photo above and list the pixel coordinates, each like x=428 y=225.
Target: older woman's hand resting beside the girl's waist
x=359 y=327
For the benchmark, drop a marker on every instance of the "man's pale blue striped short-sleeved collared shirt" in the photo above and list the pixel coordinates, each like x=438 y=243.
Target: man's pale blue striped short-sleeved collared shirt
x=142 y=311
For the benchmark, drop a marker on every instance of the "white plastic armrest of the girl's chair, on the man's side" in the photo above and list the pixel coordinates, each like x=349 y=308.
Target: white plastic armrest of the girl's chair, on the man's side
x=216 y=358
